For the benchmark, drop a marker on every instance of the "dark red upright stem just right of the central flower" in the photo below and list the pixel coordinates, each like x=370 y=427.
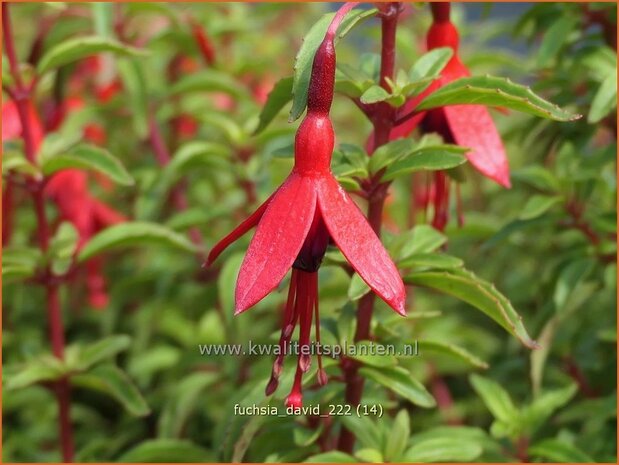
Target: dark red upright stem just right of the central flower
x=382 y=119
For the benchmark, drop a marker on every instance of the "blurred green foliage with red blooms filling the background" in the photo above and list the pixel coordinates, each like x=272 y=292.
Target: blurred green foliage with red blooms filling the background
x=548 y=244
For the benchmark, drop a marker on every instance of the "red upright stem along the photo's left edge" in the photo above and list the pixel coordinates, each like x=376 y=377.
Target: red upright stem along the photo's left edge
x=54 y=312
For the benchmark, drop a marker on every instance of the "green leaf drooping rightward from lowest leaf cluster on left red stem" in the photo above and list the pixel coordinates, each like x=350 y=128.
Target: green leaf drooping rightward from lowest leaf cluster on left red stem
x=114 y=382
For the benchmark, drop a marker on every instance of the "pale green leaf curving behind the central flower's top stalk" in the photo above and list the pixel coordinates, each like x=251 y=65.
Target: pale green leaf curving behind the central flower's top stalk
x=305 y=56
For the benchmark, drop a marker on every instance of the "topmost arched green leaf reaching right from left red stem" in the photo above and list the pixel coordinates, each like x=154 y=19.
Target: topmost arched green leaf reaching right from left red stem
x=81 y=47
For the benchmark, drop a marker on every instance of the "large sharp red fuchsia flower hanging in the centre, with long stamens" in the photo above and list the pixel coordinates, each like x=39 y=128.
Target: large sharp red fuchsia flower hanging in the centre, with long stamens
x=295 y=225
